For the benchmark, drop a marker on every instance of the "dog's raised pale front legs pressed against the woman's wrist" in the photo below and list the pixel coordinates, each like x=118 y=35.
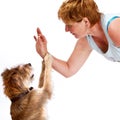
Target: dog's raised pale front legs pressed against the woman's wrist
x=45 y=77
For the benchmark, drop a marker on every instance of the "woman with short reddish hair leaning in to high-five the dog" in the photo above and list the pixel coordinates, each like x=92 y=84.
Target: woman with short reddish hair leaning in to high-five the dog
x=93 y=30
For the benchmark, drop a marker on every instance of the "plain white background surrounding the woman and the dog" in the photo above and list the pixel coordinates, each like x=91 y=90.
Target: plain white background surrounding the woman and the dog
x=92 y=94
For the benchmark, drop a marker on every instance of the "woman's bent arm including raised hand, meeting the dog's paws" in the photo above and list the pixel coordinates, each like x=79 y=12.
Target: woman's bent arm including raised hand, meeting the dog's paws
x=74 y=63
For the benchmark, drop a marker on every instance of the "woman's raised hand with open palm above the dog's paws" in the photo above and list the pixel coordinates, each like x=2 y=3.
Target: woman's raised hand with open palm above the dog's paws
x=41 y=43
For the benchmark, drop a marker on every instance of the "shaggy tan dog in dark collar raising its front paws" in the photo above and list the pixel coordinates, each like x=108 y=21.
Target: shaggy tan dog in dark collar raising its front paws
x=28 y=103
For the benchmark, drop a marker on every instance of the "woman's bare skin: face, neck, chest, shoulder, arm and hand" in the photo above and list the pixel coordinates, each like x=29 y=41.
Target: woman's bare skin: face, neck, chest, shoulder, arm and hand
x=82 y=49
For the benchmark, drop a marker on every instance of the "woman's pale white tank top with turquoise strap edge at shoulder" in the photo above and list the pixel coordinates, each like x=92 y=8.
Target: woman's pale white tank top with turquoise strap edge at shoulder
x=113 y=52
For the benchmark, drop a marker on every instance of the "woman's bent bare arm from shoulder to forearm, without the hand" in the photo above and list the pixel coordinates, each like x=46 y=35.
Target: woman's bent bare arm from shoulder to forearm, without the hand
x=76 y=60
